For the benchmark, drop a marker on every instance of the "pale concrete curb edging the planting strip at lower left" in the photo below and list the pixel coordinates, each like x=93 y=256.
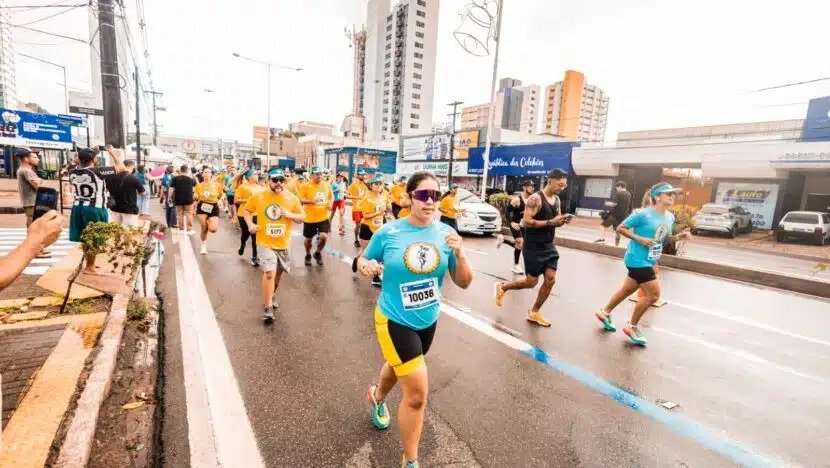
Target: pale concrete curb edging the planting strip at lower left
x=77 y=445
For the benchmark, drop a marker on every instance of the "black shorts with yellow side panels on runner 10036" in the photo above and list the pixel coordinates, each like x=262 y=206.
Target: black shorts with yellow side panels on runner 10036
x=403 y=348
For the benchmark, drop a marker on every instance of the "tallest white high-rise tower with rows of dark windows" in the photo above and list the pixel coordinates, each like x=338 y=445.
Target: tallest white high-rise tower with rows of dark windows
x=399 y=66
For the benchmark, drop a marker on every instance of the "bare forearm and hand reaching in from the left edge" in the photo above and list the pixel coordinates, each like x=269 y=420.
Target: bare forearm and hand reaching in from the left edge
x=42 y=232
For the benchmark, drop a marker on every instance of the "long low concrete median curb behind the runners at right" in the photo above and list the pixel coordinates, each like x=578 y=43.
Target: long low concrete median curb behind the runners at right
x=764 y=278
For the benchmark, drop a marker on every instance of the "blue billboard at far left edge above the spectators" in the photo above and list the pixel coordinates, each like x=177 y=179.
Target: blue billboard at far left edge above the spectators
x=20 y=128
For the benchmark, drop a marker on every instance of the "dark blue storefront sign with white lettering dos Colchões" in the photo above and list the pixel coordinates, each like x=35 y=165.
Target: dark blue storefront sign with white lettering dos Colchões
x=522 y=160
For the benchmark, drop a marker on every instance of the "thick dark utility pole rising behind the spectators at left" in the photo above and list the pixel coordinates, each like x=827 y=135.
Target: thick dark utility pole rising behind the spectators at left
x=110 y=78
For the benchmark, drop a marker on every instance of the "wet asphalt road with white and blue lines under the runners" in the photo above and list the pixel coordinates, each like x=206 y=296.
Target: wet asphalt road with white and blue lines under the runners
x=748 y=367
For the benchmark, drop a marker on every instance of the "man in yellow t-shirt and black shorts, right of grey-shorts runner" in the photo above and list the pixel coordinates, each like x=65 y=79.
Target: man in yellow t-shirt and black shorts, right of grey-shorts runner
x=316 y=197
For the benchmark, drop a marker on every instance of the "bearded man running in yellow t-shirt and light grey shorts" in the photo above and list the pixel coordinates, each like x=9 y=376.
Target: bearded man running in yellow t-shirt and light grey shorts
x=275 y=210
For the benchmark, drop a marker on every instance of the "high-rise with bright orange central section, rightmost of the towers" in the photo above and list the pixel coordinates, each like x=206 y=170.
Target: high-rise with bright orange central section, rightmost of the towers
x=576 y=110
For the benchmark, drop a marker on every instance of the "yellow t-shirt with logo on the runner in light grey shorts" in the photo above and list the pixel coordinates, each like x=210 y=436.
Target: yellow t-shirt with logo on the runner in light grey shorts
x=274 y=232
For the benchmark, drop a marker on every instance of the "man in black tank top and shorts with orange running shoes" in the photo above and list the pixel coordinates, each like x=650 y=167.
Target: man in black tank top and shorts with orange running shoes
x=543 y=213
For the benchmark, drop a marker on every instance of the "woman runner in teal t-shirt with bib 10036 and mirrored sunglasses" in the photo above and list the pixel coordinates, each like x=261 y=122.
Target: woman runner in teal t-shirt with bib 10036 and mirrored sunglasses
x=414 y=254
